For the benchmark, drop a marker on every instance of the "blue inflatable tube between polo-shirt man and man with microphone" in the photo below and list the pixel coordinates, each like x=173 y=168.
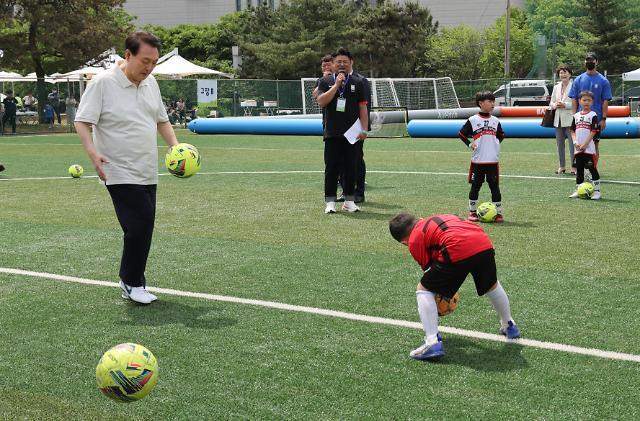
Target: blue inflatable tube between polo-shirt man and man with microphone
x=256 y=125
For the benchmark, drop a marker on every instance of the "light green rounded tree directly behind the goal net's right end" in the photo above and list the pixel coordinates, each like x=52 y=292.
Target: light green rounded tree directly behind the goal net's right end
x=454 y=52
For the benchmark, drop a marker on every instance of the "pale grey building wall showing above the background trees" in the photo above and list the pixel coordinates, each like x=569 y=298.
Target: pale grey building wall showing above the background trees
x=475 y=13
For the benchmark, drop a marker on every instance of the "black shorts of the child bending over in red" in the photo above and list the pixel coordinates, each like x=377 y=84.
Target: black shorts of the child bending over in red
x=447 y=278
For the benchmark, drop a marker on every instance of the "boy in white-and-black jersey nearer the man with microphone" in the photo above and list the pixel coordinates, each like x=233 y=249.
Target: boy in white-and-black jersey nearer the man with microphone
x=483 y=134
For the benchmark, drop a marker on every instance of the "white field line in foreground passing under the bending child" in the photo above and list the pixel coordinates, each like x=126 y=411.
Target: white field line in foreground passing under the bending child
x=344 y=315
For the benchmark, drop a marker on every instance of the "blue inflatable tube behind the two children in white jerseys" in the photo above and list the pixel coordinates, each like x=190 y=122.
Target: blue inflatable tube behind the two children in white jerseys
x=617 y=128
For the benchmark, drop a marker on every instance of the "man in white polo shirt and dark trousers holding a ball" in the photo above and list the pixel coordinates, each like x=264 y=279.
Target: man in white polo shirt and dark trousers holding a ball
x=125 y=108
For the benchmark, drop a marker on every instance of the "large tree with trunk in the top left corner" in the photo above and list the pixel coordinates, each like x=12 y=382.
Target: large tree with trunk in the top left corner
x=50 y=36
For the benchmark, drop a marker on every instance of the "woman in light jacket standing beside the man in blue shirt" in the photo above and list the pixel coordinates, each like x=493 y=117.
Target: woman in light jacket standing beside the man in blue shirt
x=561 y=102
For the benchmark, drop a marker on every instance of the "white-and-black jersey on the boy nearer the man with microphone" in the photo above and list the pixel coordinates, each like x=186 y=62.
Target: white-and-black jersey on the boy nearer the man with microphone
x=485 y=131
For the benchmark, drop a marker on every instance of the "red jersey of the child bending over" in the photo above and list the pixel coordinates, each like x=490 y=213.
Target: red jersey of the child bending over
x=446 y=239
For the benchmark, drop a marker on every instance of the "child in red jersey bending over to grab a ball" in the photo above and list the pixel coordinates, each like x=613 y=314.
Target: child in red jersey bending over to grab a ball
x=448 y=248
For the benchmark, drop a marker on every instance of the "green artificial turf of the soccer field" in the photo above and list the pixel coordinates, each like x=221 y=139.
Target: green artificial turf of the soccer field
x=251 y=225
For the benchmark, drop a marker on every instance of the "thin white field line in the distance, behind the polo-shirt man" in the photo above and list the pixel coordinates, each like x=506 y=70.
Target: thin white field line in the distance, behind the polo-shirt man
x=531 y=177
